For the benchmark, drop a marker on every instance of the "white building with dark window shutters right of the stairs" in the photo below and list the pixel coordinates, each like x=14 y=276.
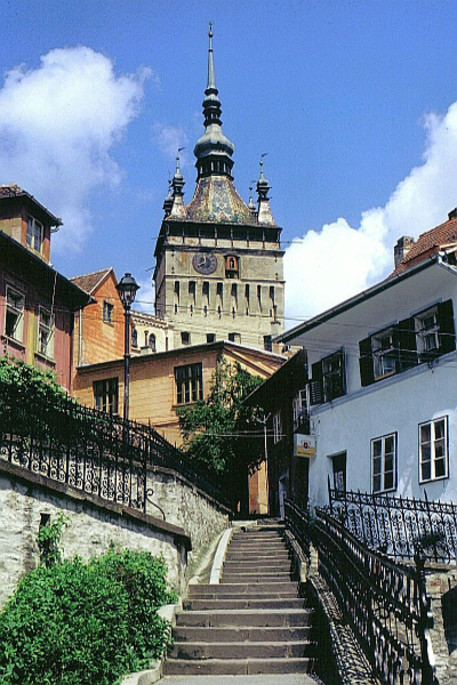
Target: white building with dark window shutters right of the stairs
x=383 y=388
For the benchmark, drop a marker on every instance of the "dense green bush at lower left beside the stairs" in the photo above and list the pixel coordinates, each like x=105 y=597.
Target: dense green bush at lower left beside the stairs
x=79 y=623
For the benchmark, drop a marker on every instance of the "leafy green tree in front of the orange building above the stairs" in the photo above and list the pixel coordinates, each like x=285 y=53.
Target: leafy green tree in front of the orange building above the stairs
x=220 y=432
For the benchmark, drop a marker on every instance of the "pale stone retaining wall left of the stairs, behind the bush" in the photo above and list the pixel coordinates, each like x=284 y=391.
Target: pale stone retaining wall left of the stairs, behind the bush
x=94 y=523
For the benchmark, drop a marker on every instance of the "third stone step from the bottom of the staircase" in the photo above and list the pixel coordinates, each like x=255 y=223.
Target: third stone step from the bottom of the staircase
x=240 y=634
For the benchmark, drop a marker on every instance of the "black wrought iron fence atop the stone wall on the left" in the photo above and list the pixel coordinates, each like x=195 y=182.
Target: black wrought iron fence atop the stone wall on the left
x=88 y=449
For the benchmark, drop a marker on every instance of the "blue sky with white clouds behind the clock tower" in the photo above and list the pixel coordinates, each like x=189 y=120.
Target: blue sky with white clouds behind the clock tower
x=353 y=102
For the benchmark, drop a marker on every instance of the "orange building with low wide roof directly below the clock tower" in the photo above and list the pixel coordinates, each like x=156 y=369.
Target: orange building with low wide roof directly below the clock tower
x=165 y=381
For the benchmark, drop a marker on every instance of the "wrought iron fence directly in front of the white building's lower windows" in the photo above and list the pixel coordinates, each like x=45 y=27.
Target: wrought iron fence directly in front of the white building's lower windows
x=396 y=525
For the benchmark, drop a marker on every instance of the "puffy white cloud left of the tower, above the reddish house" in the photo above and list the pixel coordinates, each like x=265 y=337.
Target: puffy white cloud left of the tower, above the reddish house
x=58 y=124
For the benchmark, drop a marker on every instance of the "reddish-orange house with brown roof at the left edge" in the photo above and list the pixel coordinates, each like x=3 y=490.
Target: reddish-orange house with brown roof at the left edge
x=37 y=304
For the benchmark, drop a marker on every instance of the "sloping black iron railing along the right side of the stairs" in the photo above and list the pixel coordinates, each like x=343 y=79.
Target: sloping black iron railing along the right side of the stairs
x=385 y=602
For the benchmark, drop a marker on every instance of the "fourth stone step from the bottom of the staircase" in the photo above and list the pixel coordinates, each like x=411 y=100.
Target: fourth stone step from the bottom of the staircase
x=245 y=618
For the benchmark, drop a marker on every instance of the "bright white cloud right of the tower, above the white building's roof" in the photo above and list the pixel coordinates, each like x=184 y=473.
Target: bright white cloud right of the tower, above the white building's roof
x=335 y=263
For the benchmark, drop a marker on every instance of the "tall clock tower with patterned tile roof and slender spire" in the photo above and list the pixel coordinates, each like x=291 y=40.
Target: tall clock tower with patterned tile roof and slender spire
x=219 y=262
